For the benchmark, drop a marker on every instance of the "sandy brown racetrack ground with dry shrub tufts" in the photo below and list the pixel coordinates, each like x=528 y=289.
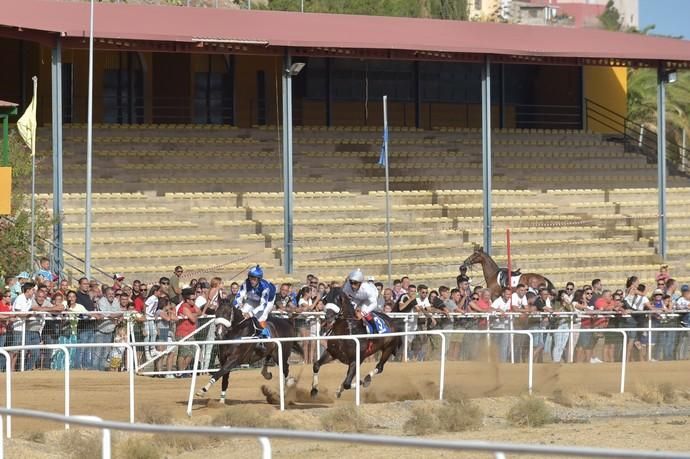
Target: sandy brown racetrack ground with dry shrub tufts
x=599 y=416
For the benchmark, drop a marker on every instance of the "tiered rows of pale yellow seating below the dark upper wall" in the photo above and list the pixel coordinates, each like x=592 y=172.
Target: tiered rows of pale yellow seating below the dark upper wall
x=209 y=197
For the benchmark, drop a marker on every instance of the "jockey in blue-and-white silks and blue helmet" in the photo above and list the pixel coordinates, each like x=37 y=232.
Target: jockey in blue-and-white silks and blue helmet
x=255 y=298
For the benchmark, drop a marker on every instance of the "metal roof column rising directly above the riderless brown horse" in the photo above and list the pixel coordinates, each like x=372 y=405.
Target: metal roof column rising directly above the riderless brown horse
x=486 y=152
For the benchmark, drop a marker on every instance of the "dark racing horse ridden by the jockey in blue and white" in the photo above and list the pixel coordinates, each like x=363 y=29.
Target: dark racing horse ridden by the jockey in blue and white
x=231 y=325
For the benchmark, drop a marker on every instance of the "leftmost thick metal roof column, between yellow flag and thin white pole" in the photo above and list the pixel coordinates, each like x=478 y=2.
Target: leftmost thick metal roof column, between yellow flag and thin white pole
x=58 y=261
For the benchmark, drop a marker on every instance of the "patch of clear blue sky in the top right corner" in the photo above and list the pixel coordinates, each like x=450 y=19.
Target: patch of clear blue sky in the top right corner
x=671 y=17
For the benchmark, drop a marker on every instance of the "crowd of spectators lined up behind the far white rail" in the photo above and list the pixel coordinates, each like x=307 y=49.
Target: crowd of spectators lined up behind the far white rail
x=39 y=309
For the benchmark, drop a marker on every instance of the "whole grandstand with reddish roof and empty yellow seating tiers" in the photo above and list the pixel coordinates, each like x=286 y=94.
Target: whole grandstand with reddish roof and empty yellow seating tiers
x=188 y=155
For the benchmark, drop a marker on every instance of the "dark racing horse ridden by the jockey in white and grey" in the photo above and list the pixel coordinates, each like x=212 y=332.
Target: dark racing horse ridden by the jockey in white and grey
x=344 y=322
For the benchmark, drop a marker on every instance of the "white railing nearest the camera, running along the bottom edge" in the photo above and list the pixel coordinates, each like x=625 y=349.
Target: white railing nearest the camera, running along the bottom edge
x=498 y=449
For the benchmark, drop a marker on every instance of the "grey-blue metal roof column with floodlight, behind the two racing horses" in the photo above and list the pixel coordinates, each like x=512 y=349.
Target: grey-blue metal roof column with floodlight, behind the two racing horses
x=287 y=165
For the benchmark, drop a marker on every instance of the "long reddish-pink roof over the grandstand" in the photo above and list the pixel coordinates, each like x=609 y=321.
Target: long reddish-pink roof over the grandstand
x=182 y=29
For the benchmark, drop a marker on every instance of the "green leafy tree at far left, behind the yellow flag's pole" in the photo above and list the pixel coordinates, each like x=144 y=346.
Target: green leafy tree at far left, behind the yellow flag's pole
x=15 y=232
